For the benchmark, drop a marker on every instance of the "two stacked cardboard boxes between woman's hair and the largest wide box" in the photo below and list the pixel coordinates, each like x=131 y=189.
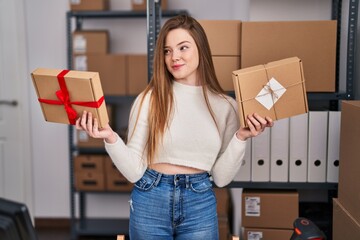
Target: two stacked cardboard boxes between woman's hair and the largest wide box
x=224 y=39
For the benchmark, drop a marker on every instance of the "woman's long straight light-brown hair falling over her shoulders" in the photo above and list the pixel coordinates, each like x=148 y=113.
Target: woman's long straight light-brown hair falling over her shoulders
x=160 y=85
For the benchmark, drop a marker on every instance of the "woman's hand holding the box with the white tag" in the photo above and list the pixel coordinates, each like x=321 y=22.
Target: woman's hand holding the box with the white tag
x=256 y=125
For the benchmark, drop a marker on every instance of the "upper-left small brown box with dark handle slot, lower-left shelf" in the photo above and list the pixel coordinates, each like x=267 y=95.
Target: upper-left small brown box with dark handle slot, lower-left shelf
x=89 y=163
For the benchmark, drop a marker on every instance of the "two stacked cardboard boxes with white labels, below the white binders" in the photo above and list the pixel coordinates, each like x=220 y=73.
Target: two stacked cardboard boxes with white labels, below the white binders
x=269 y=214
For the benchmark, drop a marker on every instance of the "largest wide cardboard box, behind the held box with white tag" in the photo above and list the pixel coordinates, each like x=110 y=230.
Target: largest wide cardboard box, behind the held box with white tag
x=314 y=42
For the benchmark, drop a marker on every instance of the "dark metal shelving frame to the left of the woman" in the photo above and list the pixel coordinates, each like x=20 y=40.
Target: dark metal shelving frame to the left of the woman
x=84 y=226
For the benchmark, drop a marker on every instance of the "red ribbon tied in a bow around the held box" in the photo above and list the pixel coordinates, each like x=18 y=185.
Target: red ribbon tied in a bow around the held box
x=64 y=99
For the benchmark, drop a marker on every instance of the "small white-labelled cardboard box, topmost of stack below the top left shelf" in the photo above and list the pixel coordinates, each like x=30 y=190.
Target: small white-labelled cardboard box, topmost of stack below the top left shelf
x=90 y=41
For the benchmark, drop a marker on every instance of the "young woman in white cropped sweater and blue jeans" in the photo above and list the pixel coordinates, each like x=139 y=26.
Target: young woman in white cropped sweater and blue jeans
x=183 y=135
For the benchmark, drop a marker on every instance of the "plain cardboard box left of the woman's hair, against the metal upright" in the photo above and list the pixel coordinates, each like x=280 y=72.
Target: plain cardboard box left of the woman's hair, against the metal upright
x=137 y=79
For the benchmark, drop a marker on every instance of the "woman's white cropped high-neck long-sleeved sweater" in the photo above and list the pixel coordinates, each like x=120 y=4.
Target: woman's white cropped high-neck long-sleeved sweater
x=192 y=139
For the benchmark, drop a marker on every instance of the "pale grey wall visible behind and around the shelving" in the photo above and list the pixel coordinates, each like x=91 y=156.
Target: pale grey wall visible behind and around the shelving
x=46 y=30
